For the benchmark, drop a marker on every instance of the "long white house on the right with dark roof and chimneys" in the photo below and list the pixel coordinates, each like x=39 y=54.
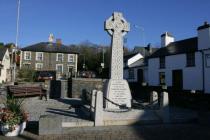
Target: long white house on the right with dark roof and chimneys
x=184 y=64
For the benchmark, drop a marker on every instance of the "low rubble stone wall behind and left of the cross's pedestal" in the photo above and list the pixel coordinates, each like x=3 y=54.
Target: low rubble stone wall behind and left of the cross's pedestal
x=79 y=85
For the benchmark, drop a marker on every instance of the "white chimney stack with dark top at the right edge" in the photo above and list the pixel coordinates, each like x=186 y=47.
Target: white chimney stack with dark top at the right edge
x=204 y=36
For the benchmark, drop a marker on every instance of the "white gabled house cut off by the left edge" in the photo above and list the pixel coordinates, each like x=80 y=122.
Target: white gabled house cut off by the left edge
x=4 y=65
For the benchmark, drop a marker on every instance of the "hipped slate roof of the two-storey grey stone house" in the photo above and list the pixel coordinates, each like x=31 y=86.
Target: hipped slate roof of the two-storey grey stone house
x=49 y=47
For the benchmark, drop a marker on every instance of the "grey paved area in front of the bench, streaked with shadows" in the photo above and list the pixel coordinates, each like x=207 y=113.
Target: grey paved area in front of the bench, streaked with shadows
x=62 y=107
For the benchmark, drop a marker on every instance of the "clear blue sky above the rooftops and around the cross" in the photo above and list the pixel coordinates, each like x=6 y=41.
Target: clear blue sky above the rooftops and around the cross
x=75 y=21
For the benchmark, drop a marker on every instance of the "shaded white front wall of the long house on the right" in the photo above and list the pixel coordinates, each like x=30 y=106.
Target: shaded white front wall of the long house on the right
x=192 y=76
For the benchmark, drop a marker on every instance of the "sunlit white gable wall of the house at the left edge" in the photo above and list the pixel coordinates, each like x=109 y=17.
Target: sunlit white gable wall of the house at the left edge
x=6 y=63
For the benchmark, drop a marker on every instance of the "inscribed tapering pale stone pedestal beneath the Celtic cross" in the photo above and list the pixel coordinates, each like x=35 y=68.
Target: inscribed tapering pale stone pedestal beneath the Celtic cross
x=118 y=91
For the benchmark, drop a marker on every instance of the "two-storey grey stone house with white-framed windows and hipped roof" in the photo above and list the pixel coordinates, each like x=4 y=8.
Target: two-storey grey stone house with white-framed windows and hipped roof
x=49 y=56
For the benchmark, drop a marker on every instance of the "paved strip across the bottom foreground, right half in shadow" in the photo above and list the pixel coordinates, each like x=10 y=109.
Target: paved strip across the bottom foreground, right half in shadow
x=144 y=132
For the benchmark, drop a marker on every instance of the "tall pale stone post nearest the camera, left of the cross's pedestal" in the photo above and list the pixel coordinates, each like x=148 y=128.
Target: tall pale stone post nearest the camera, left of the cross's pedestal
x=99 y=109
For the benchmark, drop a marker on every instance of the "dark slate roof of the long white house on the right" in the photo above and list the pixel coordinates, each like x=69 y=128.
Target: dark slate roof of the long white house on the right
x=178 y=47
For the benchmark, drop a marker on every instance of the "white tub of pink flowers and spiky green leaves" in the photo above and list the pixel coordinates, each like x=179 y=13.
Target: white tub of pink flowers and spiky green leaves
x=12 y=117
